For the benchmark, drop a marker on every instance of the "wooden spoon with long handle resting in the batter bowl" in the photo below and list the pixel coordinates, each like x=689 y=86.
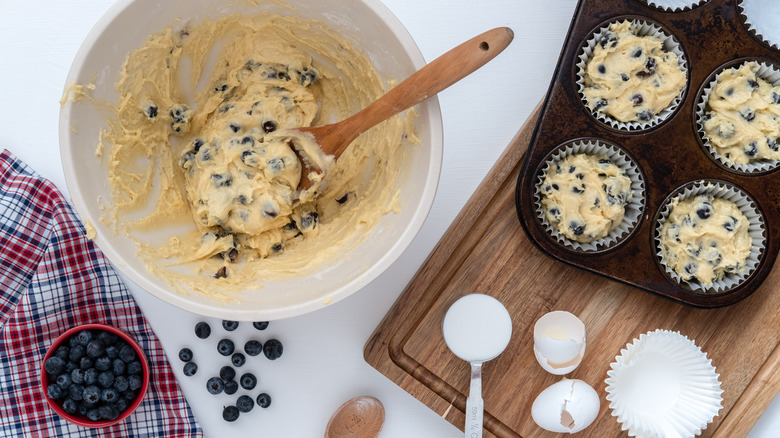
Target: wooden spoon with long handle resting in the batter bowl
x=442 y=72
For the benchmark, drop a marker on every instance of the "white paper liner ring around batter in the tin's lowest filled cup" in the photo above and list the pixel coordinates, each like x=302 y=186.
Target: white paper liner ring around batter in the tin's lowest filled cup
x=756 y=231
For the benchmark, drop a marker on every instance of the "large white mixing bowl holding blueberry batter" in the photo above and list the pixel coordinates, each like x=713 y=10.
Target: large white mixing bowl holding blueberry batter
x=372 y=27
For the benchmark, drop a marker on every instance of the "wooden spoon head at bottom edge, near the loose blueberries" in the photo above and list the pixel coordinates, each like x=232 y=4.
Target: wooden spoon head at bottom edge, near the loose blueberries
x=360 y=417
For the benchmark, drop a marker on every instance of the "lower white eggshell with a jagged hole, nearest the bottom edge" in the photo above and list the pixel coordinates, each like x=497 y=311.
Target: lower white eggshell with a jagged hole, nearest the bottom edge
x=568 y=406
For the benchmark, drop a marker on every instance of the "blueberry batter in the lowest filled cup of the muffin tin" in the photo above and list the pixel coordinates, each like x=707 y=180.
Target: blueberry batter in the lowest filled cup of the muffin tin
x=705 y=238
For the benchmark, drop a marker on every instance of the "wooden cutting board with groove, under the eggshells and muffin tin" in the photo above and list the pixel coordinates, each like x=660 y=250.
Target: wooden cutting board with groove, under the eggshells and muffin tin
x=485 y=250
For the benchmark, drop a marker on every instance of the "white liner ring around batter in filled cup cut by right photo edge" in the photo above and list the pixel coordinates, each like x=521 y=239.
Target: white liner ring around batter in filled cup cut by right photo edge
x=767 y=72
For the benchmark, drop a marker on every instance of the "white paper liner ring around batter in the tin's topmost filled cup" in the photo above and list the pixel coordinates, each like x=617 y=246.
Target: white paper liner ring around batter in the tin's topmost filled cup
x=643 y=28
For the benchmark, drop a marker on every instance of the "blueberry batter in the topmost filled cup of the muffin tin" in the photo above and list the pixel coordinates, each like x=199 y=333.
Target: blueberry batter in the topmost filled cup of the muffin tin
x=630 y=77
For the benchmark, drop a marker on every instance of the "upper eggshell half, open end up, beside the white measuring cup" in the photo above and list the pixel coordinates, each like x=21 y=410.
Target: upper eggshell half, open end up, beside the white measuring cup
x=559 y=342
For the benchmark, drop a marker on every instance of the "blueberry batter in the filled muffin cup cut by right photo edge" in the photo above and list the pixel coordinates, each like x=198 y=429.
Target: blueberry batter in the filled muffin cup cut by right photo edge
x=743 y=116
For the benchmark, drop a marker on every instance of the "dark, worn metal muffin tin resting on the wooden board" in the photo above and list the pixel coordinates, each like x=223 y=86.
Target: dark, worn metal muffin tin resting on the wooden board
x=670 y=155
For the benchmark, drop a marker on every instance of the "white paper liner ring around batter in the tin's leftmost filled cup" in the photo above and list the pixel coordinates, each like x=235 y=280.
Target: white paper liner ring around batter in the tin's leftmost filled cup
x=633 y=211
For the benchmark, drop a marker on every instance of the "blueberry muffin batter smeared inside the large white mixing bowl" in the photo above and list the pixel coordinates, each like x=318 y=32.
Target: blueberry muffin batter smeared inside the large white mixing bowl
x=199 y=135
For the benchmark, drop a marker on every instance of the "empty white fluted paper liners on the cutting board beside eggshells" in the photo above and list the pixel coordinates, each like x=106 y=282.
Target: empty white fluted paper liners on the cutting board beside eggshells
x=662 y=385
